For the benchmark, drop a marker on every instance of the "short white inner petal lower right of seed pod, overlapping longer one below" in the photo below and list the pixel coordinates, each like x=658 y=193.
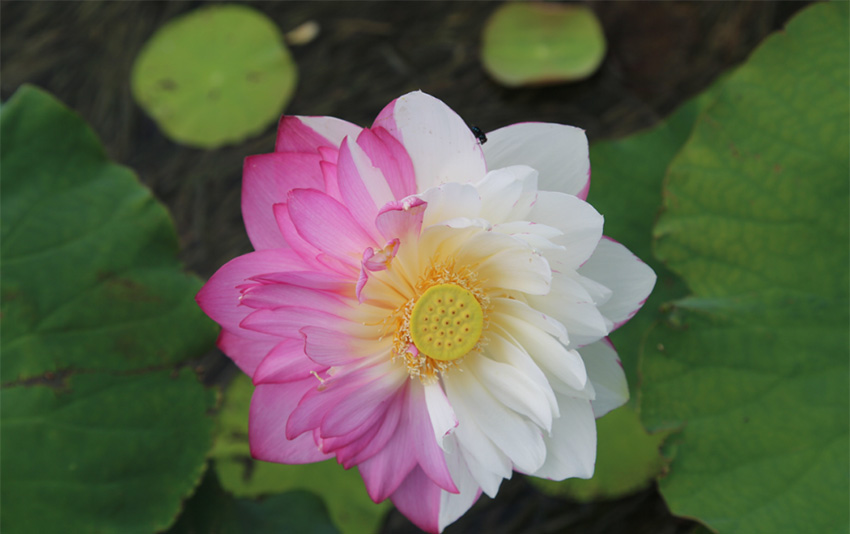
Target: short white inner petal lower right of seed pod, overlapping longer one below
x=513 y=389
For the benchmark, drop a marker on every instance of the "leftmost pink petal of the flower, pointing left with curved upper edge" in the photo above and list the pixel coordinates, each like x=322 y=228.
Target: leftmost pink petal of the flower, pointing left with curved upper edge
x=219 y=298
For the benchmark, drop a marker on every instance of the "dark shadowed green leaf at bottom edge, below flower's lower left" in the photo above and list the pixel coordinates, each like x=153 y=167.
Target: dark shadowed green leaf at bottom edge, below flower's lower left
x=212 y=511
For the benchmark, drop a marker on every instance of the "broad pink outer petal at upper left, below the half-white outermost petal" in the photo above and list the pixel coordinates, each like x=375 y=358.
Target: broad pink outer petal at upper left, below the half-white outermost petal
x=266 y=178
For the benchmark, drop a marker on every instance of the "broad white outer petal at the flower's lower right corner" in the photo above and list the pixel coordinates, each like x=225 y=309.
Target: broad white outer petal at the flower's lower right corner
x=571 y=449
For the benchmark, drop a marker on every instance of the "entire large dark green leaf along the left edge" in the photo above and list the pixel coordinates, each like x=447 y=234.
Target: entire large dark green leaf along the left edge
x=90 y=287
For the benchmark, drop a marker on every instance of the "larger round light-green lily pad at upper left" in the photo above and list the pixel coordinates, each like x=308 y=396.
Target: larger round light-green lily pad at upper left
x=215 y=76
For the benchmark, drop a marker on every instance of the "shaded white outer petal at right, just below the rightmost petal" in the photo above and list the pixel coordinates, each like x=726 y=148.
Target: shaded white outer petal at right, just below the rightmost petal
x=606 y=374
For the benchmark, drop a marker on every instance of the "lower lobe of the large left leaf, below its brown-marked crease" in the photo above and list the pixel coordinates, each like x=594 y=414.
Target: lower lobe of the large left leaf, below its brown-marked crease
x=104 y=453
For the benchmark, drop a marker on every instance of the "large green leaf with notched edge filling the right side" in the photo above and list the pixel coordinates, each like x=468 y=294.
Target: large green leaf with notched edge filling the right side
x=752 y=369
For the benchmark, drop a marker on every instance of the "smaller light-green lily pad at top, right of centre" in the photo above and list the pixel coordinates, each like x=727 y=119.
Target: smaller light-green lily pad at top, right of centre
x=534 y=43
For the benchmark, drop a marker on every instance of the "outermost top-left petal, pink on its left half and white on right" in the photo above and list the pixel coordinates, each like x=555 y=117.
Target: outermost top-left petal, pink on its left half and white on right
x=307 y=134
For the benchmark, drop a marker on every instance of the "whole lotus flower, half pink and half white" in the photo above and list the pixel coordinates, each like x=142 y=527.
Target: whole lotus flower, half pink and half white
x=424 y=306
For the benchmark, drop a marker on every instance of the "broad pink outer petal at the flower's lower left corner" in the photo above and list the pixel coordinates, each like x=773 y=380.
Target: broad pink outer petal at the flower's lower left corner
x=270 y=408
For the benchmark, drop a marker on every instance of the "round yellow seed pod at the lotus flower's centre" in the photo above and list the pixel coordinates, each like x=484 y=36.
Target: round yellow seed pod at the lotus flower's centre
x=446 y=322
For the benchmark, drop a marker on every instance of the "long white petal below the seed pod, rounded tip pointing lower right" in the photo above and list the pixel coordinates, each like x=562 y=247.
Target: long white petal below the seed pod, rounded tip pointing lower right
x=519 y=439
